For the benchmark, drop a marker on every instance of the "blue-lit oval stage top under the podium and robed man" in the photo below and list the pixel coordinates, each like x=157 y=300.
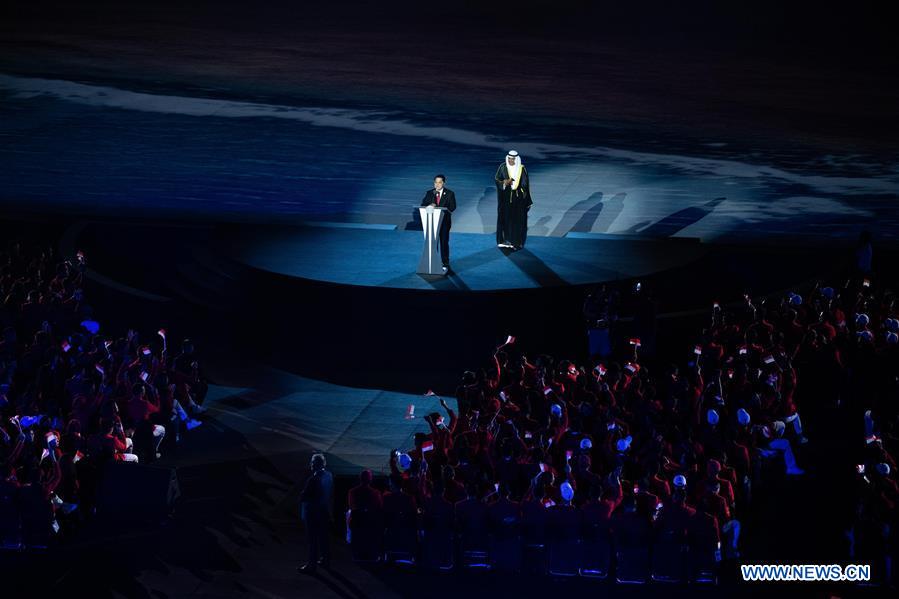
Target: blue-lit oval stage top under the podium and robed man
x=375 y=256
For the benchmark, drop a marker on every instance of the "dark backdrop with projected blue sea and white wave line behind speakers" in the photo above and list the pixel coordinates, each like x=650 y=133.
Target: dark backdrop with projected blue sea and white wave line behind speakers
x=719 y=122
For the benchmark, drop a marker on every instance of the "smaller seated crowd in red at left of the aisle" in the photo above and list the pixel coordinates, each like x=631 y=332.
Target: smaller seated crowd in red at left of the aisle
x=74 y=397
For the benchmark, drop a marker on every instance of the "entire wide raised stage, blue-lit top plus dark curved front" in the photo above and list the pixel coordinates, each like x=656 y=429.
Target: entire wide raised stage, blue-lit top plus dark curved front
x=344 y=305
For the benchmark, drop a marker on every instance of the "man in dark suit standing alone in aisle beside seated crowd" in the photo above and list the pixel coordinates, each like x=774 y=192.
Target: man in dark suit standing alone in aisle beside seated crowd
x=316 y=503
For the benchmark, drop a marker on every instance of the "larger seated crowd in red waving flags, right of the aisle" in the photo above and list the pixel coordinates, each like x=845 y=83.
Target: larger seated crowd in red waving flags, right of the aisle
x=642 y=471
